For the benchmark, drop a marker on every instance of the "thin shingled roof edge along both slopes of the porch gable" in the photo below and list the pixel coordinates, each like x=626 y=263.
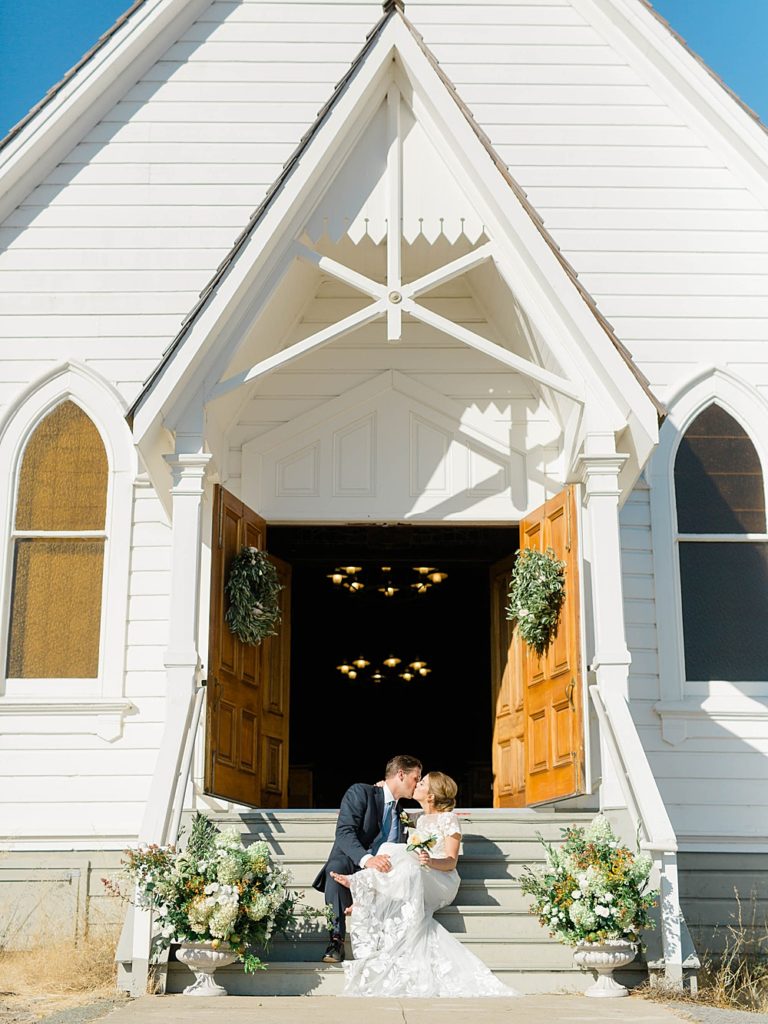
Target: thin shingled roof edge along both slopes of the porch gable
x=393 y=9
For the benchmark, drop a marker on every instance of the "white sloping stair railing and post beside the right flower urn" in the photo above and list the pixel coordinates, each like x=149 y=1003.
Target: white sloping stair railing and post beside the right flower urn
x=653 y=825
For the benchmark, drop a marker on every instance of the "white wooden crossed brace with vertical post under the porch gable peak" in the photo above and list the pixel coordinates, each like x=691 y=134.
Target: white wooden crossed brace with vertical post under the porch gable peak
x=395 y=298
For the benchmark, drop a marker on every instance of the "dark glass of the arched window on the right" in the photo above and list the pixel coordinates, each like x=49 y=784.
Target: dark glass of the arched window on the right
x=721 y=523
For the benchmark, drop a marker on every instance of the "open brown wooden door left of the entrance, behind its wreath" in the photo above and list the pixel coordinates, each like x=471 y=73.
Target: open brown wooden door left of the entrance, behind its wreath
x=247 y=714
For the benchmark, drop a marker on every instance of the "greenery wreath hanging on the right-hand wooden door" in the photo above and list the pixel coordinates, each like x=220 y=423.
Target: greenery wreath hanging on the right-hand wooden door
x=536 y=596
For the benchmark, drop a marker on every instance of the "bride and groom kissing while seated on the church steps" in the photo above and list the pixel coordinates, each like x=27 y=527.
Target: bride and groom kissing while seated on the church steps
x=389 y=880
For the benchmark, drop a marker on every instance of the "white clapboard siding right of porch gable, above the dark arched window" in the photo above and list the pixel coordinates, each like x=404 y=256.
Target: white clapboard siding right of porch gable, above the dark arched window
x=624 y=186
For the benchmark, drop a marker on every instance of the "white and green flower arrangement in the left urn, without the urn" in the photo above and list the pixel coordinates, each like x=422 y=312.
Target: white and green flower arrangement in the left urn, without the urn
x=216 y=890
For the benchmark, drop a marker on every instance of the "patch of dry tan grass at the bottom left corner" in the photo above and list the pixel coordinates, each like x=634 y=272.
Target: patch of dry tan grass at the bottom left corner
x=50 y=977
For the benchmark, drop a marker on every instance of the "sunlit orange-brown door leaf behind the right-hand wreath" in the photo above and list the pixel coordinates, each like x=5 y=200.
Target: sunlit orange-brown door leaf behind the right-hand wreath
x=552 y=686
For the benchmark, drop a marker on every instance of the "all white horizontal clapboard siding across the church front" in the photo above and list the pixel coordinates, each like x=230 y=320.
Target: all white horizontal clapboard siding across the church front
x=104 y=261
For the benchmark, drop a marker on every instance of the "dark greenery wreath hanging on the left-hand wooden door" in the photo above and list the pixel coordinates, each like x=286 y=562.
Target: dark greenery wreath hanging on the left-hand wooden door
x=252 y=589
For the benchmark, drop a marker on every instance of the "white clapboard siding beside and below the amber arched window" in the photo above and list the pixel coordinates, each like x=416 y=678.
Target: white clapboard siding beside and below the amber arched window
x=96 y=772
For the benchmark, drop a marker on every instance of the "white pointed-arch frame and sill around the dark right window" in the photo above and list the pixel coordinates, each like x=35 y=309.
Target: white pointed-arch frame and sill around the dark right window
x=685 y=707
